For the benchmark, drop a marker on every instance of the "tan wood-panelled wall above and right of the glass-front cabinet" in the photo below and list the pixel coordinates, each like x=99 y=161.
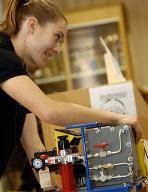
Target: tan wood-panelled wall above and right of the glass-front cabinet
x=137 y=22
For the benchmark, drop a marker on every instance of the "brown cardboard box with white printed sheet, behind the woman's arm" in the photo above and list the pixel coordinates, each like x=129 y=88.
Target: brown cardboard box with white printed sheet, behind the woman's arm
x=122 y=97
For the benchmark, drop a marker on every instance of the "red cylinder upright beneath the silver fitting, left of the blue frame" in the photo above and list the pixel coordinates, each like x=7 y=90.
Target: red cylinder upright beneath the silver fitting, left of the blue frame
x=67 y=175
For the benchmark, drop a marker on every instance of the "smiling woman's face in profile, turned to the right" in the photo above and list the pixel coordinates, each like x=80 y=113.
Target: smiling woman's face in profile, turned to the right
x=45 y=41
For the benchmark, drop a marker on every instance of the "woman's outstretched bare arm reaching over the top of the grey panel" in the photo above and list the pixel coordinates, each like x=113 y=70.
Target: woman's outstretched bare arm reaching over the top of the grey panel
x=24 y=90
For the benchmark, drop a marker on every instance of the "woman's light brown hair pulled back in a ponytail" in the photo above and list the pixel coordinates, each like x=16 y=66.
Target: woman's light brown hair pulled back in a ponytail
x=17 y=10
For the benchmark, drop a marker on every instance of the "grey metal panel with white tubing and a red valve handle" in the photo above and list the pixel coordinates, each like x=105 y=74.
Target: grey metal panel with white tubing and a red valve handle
x=112 y=155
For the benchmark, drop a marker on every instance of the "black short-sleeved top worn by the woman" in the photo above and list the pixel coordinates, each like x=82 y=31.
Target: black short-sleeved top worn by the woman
x=12 y=114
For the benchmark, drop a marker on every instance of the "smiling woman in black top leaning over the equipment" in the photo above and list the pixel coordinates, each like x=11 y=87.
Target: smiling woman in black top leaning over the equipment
x=32 y=31
